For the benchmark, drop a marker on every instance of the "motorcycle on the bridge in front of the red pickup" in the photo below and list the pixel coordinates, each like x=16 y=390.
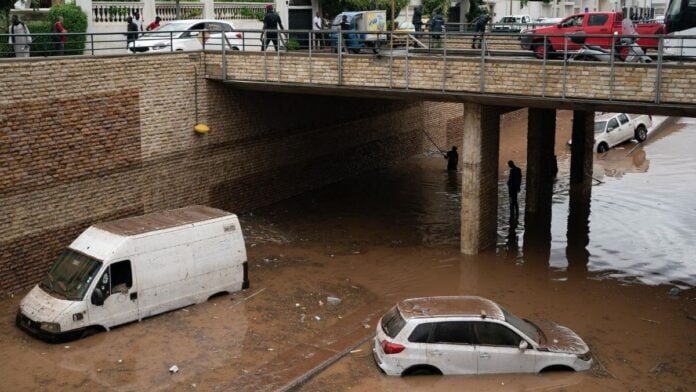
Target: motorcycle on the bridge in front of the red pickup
x=626 y=49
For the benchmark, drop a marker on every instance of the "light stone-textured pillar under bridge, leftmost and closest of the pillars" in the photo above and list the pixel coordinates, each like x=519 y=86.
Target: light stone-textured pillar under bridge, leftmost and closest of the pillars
x=479 y=159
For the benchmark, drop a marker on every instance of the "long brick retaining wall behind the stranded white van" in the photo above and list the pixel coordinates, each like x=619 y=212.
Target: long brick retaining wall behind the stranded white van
x=94 y=139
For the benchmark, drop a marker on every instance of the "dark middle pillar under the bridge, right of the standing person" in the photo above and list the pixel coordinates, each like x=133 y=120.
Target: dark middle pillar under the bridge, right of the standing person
x=541 y=138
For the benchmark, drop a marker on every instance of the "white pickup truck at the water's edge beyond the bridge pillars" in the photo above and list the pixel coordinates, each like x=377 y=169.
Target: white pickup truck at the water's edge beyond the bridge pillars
x=612 y=129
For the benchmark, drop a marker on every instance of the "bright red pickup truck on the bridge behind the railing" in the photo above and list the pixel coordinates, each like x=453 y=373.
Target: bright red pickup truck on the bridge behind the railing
x=591 y=23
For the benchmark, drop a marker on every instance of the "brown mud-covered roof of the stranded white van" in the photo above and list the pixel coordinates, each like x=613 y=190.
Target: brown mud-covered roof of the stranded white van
x=161 y=220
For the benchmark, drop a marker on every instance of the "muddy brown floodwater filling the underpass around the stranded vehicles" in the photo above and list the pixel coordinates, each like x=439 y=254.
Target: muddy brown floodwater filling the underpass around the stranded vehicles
x=376 y=239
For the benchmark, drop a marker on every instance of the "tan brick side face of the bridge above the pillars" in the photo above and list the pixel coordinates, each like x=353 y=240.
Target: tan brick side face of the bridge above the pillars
x=631 y=82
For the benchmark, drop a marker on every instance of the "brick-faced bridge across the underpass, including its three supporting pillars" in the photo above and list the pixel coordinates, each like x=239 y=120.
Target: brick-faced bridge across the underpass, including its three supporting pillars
x=488 y=88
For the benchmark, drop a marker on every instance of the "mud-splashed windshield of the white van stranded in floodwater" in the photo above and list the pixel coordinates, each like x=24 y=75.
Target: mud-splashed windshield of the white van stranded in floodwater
x=70 y=275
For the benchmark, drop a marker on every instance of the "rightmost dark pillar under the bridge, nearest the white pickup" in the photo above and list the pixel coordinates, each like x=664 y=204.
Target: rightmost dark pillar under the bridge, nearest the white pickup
x=580 y=193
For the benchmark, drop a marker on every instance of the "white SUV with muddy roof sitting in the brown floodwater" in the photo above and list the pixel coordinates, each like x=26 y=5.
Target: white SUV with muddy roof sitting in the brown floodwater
x=471 y=335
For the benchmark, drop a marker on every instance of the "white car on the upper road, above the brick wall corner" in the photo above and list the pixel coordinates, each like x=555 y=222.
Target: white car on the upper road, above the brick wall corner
x=188 y=35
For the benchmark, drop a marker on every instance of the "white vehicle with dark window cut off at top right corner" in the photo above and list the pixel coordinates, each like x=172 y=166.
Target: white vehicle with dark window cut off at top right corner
x=680 y=20
